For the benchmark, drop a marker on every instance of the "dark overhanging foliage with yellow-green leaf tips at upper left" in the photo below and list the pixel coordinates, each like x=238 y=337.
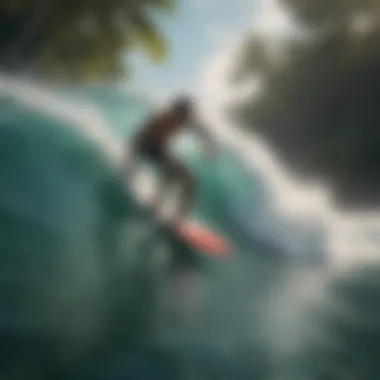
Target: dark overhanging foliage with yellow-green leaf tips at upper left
x=78 y=39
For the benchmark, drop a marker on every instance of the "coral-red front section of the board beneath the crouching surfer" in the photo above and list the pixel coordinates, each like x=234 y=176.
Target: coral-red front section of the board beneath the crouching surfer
x=203 y=239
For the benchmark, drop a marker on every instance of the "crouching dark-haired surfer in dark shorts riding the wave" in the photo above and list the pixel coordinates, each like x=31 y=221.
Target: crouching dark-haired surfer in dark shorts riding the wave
x=152 y=144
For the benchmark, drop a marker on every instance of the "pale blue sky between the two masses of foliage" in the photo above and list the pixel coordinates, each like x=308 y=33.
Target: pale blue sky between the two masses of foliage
x=197 y=31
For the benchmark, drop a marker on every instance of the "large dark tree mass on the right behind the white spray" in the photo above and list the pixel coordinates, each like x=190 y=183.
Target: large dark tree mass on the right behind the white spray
x=318 y=104
